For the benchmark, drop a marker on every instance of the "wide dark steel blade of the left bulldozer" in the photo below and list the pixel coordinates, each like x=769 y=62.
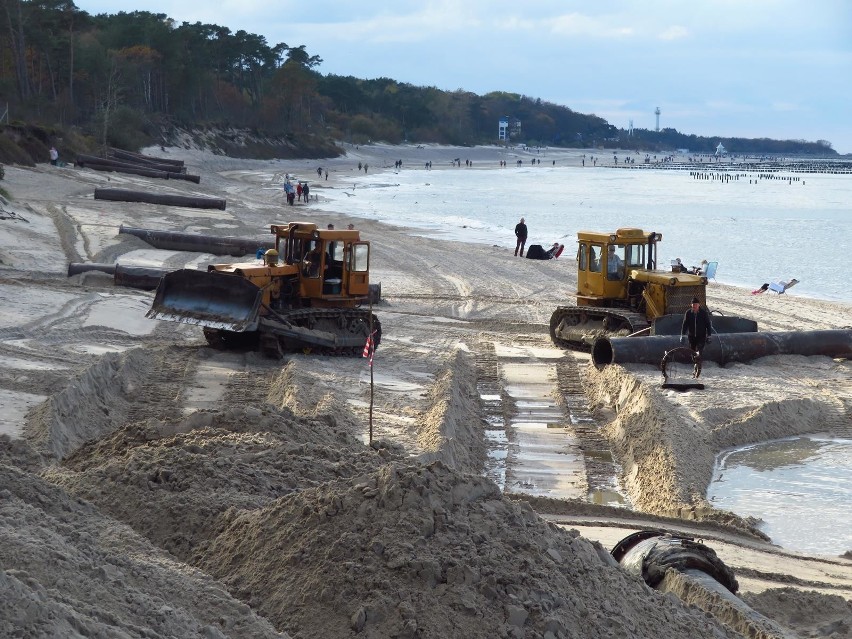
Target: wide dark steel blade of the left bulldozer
x=216 y=300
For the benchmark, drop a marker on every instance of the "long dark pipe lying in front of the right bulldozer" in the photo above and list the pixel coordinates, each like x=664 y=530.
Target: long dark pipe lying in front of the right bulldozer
x=724 y=348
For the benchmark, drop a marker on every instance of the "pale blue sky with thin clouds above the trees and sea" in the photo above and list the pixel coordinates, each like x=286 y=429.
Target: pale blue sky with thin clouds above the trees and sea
x=747 y=68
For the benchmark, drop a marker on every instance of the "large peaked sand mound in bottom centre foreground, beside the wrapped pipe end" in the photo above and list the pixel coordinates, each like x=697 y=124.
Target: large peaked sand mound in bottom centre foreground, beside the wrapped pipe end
x=392 y=553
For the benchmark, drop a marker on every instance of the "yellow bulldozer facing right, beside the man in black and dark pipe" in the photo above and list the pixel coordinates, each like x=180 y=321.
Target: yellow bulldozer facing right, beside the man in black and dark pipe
x=621 y=292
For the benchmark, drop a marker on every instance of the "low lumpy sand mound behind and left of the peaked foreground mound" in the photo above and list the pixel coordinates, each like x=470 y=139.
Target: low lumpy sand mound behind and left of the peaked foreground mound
x=171 y=481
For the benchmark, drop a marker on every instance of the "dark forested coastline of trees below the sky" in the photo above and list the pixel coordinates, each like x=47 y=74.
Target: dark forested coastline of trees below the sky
x=124 y=78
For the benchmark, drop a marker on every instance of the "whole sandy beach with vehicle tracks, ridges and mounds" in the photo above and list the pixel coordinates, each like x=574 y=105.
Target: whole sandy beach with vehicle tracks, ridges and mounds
x=155 y=487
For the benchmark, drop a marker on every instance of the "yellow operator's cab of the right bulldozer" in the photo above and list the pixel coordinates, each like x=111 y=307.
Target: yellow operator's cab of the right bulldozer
x=605 y=262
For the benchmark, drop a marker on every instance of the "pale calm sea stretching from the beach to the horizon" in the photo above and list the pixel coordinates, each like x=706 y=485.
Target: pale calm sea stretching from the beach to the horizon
x=795 y=225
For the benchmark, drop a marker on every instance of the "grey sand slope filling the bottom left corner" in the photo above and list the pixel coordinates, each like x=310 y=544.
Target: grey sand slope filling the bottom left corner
x=69 y=571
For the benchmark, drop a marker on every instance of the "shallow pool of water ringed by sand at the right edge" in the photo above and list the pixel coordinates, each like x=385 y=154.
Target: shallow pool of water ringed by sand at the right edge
x=800 y=488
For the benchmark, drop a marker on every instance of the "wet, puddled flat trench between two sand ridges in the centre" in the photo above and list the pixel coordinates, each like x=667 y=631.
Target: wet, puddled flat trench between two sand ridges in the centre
x=538 y=426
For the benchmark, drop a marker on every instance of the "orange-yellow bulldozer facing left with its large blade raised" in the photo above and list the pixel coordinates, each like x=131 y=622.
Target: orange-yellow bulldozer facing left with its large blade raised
x=305 y=293
